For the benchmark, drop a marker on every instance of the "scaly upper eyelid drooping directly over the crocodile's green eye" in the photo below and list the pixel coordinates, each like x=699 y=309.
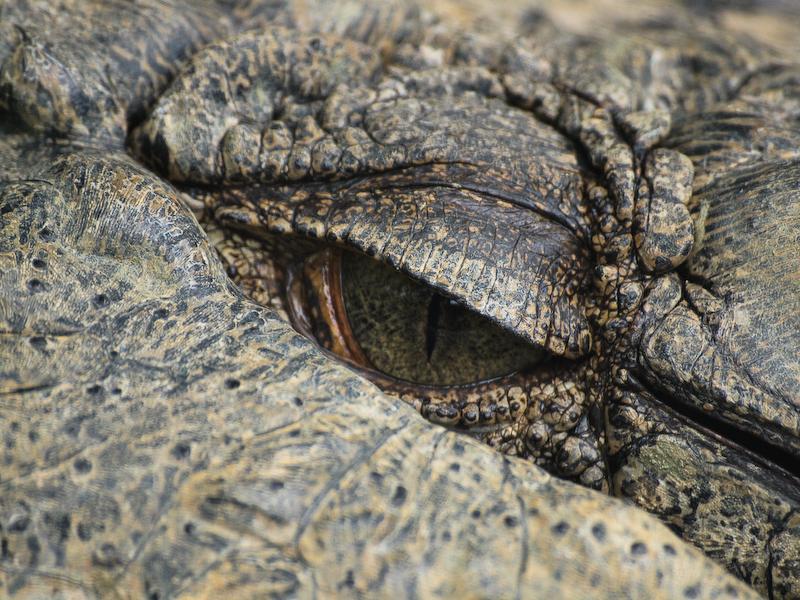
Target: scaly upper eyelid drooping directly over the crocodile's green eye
x=519 y=269
